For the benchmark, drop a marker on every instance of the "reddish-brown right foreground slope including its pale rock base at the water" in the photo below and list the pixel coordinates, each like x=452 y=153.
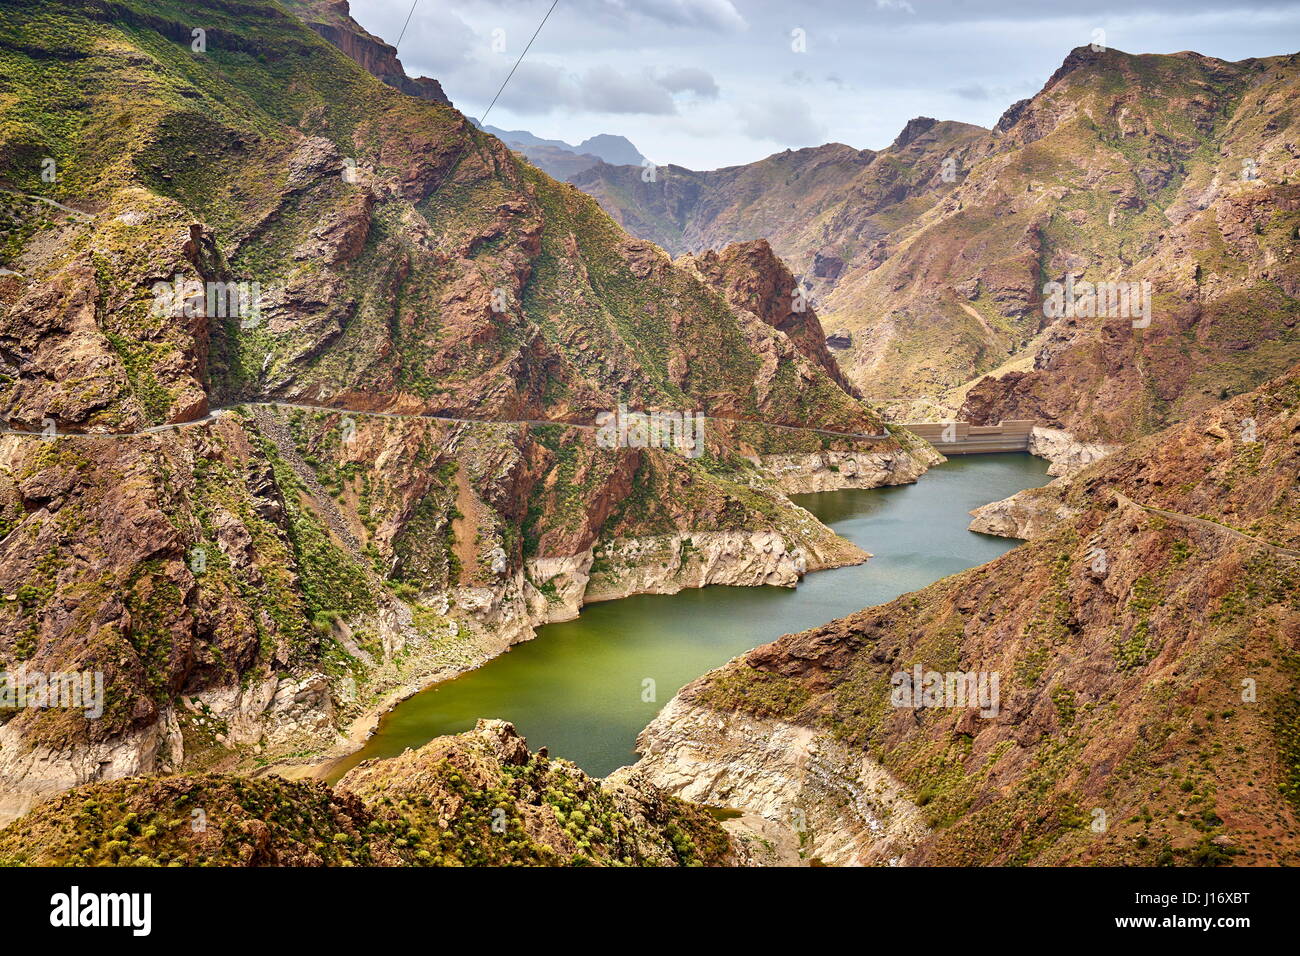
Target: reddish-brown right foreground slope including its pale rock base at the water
x=1145 y=644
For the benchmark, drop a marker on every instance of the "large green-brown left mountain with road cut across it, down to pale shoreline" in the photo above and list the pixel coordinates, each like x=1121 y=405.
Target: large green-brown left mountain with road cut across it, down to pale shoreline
x=304 y=379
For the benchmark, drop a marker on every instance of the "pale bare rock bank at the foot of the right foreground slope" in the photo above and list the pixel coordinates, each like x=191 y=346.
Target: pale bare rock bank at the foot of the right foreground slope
x=809 y=790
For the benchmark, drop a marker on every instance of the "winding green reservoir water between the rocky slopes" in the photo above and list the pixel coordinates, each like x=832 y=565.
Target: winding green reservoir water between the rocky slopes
x=578 y=689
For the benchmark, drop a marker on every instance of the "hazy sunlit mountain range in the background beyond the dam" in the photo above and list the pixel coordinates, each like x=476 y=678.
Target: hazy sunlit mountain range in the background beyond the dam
x=1180 y=171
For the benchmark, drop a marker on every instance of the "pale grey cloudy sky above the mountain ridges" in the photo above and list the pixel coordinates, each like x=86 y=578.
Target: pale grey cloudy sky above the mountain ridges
x=708 y=84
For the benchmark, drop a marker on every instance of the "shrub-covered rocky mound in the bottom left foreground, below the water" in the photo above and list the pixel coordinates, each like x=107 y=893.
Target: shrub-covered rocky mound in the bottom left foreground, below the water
x=471 y=801
